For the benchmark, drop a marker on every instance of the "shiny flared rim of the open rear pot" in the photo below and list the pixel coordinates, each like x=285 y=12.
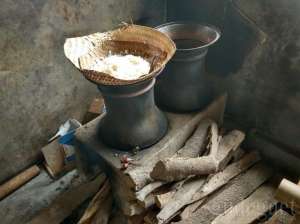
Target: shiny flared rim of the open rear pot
x=212 y=27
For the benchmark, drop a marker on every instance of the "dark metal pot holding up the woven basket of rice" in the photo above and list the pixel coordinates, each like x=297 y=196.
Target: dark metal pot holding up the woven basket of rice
x=132 y=119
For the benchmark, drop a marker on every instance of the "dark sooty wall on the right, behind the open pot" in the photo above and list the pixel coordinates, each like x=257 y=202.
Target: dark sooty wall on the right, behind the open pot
x=257 y=61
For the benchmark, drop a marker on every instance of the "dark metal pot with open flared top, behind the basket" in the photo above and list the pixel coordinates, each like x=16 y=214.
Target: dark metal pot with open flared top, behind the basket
x=184 y=85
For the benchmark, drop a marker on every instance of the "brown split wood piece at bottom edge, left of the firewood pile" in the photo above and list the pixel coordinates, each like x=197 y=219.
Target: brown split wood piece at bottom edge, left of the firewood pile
x=99 y=208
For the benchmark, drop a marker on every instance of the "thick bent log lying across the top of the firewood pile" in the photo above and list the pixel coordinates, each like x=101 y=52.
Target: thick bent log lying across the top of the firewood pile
x=173 y=169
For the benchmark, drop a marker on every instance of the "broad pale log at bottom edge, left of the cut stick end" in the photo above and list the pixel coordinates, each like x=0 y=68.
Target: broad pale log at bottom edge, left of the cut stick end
x=250 y=209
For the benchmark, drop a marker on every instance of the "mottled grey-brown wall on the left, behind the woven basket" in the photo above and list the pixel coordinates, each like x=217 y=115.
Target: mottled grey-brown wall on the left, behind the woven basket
x=40 y=89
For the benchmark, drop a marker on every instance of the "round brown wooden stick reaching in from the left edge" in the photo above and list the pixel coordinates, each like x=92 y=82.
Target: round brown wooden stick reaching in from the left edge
x=19 y=180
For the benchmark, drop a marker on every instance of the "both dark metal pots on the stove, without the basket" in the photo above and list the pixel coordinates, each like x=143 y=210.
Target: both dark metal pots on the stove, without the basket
x=132 y=118
